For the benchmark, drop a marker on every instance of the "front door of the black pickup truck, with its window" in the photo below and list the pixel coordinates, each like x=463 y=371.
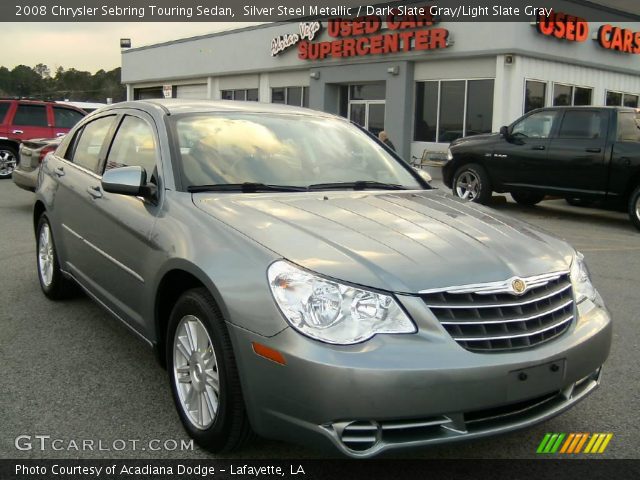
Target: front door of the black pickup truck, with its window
x=520 y=158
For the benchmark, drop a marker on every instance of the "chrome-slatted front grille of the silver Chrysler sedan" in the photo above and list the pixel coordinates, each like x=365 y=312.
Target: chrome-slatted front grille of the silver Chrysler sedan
x=493 y=318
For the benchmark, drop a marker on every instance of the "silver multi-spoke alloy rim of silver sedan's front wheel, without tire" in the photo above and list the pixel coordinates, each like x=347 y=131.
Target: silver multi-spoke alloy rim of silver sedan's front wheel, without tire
x=195 y=372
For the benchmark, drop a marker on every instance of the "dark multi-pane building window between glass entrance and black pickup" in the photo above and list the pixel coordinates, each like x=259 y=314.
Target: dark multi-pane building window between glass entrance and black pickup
x=450 y=109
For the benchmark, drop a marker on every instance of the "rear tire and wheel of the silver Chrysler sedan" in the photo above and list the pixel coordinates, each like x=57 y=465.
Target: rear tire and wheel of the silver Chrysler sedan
x=52 y=281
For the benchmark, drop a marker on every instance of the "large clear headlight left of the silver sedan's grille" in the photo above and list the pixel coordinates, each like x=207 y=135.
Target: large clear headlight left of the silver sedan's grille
x=333 y=312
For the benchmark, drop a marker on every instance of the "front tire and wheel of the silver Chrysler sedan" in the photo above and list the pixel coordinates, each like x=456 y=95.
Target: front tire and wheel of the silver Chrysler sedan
x=203 y=374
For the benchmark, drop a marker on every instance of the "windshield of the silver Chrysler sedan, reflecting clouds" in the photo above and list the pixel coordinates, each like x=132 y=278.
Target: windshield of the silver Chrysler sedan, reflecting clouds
x=286 y=150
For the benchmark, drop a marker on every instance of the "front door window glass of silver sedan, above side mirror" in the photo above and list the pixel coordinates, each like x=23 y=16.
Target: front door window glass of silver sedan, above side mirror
x=134 y=145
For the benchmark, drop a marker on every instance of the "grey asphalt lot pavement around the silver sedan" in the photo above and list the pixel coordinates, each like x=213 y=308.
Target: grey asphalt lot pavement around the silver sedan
x=72 y=373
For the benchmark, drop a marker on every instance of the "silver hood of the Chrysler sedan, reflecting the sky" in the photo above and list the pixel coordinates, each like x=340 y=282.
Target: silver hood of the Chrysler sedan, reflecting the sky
x=396 y=241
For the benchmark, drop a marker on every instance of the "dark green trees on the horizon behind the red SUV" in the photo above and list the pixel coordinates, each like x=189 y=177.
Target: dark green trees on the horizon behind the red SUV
x=72 y=84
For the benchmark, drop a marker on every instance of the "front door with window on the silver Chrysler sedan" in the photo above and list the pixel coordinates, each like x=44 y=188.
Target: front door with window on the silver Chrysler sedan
x=122 y=225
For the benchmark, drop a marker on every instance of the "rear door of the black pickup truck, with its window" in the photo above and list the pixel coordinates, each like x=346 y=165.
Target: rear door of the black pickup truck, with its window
x=576 y=162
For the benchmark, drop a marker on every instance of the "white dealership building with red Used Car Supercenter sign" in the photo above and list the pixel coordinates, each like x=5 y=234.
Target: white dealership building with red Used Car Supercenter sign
x=424 y=80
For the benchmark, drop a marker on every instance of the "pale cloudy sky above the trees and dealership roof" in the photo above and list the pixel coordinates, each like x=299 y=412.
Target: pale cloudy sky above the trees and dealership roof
x=89 y=46
